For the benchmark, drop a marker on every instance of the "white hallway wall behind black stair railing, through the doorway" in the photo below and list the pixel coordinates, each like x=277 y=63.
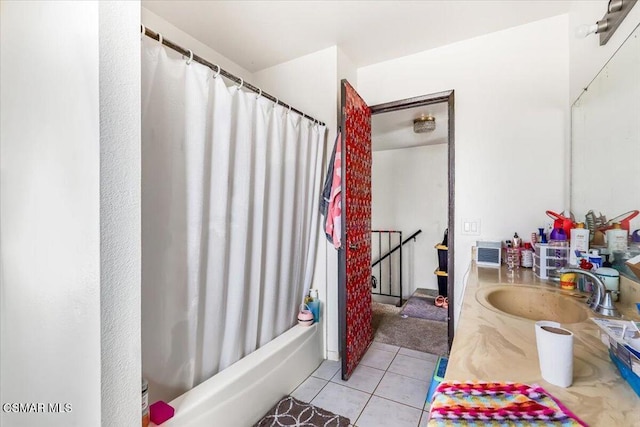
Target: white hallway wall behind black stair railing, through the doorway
x=410 y=193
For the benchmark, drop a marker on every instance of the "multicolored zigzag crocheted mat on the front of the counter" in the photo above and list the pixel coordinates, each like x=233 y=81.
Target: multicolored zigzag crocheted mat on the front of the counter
x=497 y=404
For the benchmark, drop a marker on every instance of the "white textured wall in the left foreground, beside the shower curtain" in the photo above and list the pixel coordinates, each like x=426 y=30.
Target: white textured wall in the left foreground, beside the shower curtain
x=69 y=197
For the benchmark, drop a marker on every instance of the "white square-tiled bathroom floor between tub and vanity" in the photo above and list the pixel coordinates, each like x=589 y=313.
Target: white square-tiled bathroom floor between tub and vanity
x=388 y=388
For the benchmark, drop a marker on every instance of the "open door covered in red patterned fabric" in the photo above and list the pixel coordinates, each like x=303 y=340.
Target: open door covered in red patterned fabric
x=357 y=215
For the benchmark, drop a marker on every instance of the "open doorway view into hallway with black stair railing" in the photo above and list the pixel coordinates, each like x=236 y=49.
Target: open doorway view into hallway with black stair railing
x=410 y=204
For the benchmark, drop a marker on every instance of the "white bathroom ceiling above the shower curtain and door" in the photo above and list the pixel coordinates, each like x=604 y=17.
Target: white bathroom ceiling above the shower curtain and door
x=260 y=34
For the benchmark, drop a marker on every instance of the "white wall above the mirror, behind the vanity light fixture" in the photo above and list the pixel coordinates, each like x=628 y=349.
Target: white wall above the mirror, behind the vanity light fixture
x=587 y=57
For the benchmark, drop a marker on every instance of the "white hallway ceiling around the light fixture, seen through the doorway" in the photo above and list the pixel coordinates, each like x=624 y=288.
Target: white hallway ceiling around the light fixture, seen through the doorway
x=394 y=130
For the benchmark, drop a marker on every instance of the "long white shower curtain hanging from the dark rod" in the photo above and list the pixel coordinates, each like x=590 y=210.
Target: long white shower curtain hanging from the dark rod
x=230 y=192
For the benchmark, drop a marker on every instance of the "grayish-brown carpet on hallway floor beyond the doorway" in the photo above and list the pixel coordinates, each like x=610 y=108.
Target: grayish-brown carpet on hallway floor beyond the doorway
x=410 y=332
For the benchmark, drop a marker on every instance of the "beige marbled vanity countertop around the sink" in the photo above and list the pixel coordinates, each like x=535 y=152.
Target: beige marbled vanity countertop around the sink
x=493 y=346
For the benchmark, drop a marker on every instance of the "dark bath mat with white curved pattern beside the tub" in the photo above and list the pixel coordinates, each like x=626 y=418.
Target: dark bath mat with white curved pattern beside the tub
x=293 y=412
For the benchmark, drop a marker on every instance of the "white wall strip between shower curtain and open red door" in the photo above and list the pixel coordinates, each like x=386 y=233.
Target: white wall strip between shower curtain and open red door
x=309 y=84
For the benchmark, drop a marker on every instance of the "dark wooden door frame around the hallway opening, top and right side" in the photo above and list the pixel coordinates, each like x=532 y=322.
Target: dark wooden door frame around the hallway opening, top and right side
x=436 y=98
